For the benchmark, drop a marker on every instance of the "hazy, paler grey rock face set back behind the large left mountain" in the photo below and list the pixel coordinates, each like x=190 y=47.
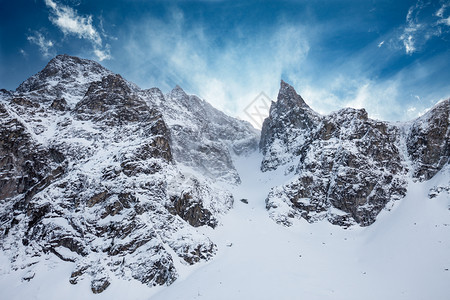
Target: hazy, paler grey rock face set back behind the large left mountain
x=203 y=138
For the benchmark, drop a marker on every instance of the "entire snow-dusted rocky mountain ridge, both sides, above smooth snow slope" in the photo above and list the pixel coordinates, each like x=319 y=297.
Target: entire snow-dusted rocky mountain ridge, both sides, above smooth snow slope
x=117 y=180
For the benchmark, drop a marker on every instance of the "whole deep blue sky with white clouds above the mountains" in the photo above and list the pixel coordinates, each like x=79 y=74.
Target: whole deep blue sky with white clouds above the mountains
x=391 y=57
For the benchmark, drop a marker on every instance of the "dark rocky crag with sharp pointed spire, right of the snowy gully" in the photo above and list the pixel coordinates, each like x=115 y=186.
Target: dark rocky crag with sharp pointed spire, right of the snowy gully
x=346 y=166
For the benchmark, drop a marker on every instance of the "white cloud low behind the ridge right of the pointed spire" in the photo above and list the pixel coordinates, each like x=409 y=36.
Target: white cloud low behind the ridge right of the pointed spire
x=418 y=85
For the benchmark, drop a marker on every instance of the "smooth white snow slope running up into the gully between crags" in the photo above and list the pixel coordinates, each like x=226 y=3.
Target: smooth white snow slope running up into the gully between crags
x=404 y=255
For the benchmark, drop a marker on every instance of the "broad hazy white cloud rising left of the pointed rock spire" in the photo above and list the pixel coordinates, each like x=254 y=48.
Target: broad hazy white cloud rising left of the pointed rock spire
x=230 y=76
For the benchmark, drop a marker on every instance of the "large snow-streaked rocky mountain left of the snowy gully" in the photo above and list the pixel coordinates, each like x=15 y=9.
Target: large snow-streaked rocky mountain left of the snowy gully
x=88 y=173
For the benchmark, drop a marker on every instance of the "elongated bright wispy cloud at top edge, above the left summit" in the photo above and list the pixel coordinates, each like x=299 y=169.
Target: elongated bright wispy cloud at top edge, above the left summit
x=70 y=23
